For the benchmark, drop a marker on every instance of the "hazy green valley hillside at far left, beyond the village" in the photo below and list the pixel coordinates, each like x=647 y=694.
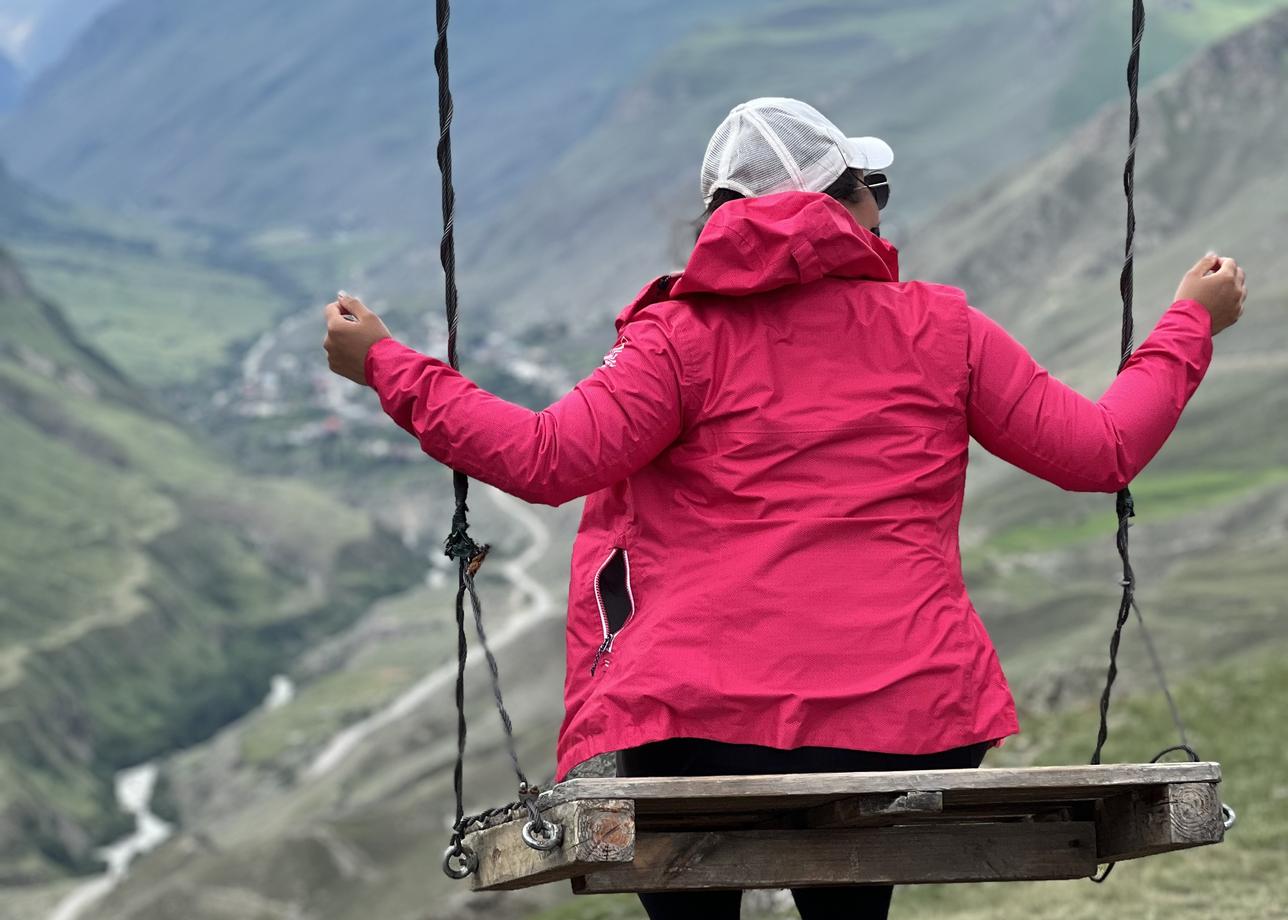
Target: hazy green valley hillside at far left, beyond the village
x=171 y=305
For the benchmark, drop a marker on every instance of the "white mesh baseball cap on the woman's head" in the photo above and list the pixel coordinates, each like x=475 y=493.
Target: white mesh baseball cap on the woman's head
x=777 y=145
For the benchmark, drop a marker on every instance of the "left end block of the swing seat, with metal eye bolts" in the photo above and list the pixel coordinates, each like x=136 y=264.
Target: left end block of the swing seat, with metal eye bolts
x=596 y=833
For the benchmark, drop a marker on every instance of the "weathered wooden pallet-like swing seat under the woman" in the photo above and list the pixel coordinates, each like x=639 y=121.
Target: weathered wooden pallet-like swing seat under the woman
x=844 y=829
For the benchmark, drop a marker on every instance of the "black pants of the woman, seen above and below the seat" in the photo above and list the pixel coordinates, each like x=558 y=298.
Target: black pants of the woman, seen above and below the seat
x=697 y=757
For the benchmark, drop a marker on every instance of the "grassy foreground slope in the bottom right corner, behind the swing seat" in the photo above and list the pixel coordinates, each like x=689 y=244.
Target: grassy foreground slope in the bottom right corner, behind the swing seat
x=1236 y=713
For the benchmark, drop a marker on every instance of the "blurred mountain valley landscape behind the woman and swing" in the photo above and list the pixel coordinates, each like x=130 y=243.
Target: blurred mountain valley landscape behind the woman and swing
x=226 y=632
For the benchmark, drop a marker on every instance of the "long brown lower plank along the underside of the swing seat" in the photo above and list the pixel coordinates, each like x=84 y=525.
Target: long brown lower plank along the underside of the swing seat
x=904 y=855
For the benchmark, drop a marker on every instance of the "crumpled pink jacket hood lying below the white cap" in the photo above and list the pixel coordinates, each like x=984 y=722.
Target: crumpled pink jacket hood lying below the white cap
x=755 y=245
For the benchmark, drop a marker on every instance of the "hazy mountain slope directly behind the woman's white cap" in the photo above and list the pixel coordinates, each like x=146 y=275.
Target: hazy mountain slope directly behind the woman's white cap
x=964 y=93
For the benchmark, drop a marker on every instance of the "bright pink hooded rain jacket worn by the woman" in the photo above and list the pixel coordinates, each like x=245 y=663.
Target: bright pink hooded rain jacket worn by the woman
x=775 y=454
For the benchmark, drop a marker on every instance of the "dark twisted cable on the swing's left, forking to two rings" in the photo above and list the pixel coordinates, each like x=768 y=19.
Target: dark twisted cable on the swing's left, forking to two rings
x=459 y=860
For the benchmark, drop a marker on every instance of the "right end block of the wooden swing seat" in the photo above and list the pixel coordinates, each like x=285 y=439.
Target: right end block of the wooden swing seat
x=1159 y=820
